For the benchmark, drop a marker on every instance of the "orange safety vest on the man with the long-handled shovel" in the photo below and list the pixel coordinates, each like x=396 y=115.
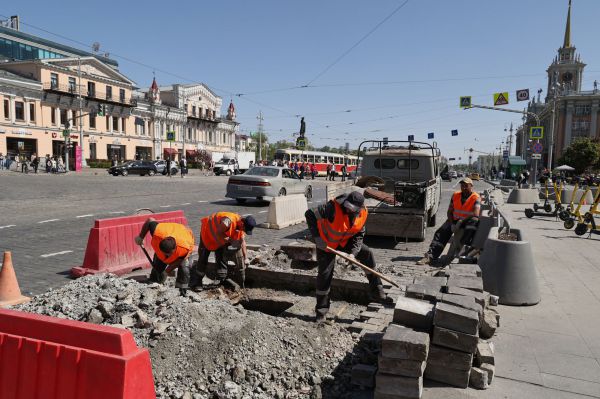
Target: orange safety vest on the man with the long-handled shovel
x=338 y=232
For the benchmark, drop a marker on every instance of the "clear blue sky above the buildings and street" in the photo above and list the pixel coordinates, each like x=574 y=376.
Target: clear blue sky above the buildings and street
x=405 y=78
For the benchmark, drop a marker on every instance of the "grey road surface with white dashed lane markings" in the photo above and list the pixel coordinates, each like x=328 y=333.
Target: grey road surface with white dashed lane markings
x=45 y=219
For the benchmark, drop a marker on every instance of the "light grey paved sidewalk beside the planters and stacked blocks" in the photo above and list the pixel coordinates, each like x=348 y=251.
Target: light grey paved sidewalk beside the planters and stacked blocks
x=550 y=350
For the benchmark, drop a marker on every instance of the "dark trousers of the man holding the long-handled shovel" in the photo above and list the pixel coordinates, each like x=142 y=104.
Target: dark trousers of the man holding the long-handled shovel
x=326 y=263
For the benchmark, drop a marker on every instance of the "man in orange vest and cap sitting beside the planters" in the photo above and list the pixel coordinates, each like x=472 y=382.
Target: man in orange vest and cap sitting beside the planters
x=463 y=213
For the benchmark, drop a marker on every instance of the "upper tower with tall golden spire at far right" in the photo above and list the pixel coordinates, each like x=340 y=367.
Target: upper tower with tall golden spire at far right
x=567 y=68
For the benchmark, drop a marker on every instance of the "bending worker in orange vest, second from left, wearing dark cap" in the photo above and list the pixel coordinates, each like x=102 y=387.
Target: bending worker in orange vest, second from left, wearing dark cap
x=219 y=232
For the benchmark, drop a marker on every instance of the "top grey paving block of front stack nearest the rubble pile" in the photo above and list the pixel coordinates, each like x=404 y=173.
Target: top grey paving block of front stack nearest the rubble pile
x=404 y=343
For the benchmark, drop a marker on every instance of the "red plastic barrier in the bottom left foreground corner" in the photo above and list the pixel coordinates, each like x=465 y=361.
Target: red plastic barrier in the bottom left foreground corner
x=45 y=357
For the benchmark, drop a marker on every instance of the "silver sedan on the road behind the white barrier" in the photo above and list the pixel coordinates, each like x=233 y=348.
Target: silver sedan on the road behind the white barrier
x=266 y=181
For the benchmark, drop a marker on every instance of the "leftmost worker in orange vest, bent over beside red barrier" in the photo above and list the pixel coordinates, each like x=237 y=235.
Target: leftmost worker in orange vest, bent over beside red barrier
x=173 y=244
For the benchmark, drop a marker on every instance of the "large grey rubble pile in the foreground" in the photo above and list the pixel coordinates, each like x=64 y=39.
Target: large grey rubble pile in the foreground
x=204 y=347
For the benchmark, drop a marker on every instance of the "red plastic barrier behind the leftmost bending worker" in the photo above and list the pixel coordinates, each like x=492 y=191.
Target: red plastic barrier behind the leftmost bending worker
x=111 y=247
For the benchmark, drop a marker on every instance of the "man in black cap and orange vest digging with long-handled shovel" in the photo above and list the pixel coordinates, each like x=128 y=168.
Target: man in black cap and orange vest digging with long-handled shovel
x=340 y=224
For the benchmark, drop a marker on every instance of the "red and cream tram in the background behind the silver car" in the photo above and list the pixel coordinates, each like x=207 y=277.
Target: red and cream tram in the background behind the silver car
x=320 y=159
